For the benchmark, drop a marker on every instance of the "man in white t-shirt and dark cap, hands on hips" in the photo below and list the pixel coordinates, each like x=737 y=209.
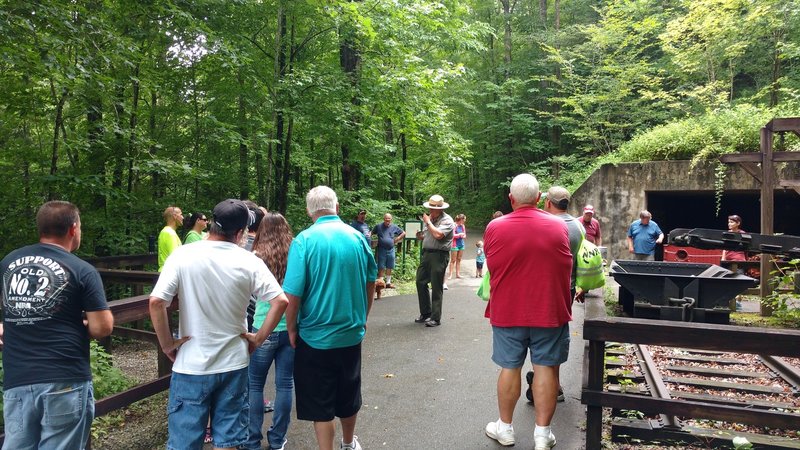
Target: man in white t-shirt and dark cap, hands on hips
x=214 y=280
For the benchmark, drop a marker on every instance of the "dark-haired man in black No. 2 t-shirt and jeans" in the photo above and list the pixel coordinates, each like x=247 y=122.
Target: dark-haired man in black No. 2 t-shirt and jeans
x=48 y=396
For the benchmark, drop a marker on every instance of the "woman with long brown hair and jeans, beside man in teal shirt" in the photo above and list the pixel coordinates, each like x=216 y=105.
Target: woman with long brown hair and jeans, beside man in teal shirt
x=271 y=245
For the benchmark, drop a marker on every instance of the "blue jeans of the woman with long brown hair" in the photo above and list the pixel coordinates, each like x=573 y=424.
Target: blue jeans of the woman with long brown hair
x=276 y=348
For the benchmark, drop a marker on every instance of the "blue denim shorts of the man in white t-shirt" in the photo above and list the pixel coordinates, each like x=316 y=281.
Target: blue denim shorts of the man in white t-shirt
x=191 y=397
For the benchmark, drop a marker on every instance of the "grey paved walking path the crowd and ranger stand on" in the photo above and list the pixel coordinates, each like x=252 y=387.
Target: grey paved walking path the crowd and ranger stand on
x=435 y=388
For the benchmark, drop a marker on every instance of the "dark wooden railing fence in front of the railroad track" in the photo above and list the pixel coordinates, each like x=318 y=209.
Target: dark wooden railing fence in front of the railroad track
x=599 y=329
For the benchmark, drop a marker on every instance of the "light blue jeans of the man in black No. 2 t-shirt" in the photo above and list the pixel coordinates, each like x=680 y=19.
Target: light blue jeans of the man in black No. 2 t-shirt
x=48 y=415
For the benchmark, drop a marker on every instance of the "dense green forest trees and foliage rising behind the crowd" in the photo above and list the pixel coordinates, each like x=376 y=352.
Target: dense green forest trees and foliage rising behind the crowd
x=127 y=107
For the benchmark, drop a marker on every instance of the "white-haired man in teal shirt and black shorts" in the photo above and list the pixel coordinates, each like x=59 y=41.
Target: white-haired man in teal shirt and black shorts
x=330 y=283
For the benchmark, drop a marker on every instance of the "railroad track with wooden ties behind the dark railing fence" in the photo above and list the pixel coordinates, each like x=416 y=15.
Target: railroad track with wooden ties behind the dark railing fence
x=753 y=382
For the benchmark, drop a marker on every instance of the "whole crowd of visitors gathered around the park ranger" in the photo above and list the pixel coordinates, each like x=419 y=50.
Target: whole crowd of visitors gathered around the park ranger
x=254 y=296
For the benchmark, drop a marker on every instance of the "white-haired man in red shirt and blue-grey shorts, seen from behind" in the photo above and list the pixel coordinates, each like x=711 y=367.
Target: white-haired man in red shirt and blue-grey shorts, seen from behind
x=529 y=258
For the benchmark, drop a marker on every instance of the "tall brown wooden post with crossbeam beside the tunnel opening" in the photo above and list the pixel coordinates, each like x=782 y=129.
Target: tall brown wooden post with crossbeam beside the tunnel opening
x=765 y=174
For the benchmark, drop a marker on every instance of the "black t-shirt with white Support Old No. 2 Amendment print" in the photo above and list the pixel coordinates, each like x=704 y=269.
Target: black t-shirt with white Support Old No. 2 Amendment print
x=45 y=291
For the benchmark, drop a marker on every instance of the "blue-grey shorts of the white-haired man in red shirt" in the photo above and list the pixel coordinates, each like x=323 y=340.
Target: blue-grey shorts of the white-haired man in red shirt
x=548 y=346
